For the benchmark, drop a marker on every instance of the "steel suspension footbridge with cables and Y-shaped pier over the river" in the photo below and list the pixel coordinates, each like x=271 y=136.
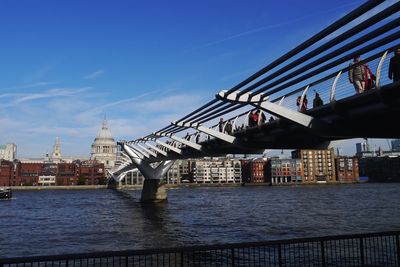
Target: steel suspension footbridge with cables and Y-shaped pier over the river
x=272 y=108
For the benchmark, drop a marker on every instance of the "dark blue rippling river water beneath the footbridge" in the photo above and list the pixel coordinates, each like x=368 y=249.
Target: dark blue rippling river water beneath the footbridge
x=46 y=222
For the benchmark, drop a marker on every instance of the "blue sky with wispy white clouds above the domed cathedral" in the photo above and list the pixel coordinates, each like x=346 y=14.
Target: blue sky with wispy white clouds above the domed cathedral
x=65 y=64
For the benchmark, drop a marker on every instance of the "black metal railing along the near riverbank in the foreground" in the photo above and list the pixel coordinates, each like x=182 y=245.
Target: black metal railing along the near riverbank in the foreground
x=375 y=249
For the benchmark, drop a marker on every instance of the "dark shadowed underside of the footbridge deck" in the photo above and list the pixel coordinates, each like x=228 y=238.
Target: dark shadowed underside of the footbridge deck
x=373 y=114
